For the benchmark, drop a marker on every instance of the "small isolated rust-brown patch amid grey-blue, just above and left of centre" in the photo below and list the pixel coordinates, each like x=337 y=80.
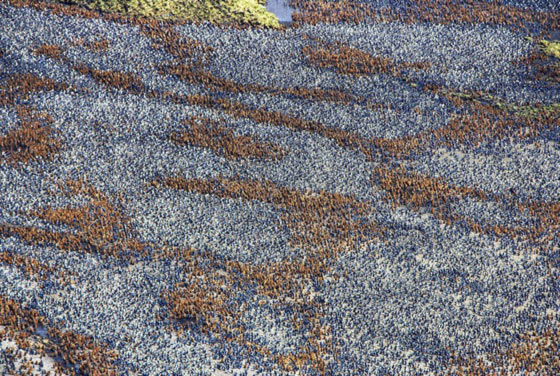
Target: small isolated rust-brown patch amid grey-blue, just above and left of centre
x=211 y=134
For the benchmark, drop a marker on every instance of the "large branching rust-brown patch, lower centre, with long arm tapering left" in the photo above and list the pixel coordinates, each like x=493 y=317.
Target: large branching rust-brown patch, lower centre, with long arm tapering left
x=322 y=224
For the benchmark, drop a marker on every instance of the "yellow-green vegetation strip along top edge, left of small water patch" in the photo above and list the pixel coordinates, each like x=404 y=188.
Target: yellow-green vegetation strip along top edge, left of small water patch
x=250 y=12
